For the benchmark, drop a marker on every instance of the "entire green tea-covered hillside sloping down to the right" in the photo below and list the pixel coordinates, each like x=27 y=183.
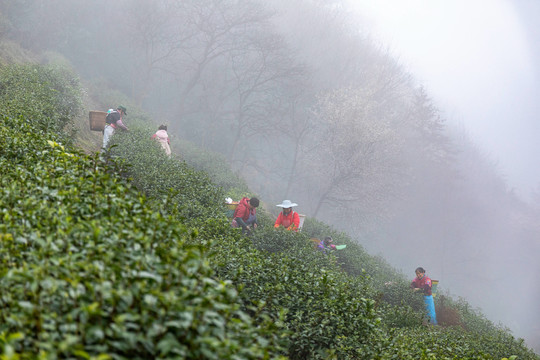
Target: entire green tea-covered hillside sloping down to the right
x=129 y=254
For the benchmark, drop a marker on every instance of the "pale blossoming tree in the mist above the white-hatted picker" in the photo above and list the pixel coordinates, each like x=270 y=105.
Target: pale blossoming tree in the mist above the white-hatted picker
x=357 y=151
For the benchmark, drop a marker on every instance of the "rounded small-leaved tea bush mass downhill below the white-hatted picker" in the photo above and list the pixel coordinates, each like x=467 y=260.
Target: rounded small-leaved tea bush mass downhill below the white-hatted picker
x=324 y=309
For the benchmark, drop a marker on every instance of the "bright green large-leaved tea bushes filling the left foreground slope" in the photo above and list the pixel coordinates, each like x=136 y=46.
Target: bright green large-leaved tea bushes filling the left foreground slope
x=89 y=269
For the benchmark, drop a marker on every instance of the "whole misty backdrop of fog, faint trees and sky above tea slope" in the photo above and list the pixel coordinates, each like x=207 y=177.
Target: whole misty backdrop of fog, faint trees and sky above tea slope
x=422 y=148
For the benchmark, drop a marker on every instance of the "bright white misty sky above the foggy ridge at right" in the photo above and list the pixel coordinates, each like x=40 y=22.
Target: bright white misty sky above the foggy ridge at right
x=477 y=60
